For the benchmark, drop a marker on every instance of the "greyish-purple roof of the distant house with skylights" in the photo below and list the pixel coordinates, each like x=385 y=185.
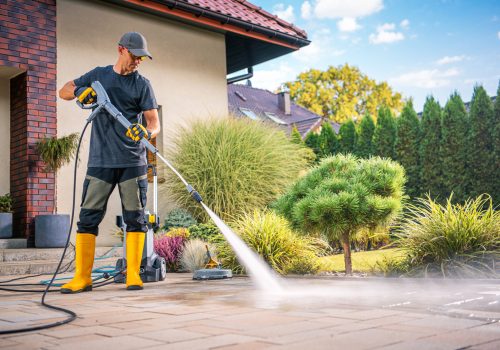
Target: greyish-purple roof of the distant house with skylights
x=263 y=104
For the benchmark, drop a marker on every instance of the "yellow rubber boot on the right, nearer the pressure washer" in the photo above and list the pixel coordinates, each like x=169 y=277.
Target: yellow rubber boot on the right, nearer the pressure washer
x=135 y=245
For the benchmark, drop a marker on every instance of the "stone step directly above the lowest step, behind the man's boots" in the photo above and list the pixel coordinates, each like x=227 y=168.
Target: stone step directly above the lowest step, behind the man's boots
x=9 y=255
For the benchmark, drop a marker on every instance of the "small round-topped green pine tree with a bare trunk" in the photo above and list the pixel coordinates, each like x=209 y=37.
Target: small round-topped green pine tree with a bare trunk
x=343 y=195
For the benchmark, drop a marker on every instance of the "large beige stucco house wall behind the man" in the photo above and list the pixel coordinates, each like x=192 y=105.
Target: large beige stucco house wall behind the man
x=188 y=74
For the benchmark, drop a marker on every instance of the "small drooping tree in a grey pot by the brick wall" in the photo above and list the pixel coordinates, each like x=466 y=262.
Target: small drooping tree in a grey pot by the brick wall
x=51 y=230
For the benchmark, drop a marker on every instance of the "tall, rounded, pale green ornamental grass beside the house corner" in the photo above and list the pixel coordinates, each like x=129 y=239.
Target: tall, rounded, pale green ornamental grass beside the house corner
x=236 y=165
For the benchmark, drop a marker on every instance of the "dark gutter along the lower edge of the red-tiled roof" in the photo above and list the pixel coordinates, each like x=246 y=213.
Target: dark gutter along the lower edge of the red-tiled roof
x=225 y=19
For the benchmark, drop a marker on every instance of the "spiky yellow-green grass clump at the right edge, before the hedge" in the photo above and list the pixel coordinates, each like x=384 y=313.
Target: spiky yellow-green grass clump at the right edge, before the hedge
x=461 y=240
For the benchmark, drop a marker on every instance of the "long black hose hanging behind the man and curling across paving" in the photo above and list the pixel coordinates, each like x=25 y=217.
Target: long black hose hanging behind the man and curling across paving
x=72 y=315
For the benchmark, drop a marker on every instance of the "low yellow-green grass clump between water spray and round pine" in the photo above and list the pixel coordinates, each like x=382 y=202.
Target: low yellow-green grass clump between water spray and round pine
x=270 y=236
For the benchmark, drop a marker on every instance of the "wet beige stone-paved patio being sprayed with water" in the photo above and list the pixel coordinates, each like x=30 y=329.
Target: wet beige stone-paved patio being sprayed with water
x=311 y=313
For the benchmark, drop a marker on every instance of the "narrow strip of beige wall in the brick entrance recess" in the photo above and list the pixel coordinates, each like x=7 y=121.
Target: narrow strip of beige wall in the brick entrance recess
x=4 y=135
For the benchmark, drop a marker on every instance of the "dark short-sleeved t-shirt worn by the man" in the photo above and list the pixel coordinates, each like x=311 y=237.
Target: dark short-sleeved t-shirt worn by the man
x=131 y=94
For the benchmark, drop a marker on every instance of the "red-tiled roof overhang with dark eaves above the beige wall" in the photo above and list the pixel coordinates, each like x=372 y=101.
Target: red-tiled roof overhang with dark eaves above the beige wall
x=252 y=34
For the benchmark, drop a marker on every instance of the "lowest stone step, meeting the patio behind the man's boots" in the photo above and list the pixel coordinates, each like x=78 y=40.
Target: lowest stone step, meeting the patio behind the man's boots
x=33 y=267
